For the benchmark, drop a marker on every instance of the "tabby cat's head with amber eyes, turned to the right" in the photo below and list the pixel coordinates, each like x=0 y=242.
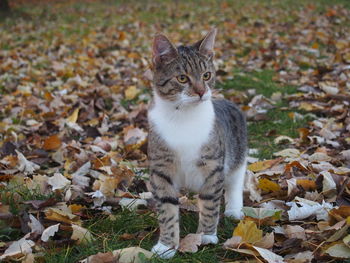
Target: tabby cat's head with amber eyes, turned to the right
x=185 y=74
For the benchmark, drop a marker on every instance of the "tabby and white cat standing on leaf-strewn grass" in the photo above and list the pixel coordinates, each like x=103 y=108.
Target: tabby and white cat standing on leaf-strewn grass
x=195 y=142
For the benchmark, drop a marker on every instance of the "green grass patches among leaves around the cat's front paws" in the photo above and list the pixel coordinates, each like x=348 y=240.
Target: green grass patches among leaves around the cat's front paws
x=107 y=235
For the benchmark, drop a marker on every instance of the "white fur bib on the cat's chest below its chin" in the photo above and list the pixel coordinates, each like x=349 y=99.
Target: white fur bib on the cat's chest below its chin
x=185 y=130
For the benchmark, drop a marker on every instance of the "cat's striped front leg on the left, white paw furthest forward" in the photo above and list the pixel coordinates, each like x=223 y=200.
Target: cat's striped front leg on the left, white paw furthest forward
x=168 y=213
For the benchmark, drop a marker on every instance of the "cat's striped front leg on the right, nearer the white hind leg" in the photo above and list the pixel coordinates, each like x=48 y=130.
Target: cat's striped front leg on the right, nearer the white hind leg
x=209 y=203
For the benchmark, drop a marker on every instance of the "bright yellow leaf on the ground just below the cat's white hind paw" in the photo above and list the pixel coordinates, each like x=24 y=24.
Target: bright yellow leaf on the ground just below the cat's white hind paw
x=248 y=231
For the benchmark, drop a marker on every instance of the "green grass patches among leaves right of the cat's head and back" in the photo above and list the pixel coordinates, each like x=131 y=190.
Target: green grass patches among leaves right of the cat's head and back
x=278 y=122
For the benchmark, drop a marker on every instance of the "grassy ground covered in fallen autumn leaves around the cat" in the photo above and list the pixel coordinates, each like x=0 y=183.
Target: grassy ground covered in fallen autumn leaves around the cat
x=73 y=129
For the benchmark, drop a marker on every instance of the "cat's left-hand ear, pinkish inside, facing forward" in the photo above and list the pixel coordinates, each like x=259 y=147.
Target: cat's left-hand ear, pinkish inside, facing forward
x=163 y=50
